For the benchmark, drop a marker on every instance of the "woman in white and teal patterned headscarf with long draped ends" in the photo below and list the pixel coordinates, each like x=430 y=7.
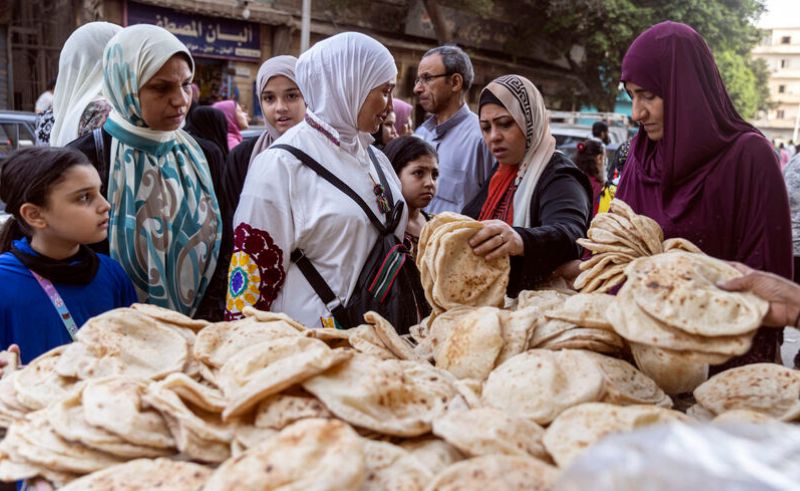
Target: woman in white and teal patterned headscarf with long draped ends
x=165 y=223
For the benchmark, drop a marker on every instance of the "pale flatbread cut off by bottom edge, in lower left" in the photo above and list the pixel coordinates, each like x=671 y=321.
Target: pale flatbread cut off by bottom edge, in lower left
x=144 y=475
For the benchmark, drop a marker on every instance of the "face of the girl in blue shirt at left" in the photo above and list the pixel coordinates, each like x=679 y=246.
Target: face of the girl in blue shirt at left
x=76 y=212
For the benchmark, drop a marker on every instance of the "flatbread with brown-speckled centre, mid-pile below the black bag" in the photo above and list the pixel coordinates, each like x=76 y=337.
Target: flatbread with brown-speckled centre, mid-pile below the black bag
x=392 y=397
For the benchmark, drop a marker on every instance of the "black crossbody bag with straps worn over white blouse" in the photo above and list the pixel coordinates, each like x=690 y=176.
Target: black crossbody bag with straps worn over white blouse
x=389 y=281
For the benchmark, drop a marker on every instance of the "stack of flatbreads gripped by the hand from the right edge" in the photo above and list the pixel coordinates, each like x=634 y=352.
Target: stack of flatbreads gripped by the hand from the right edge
x=677 y=321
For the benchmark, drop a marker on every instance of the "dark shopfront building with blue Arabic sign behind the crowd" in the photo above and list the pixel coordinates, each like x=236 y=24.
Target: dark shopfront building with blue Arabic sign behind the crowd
x=230 y=38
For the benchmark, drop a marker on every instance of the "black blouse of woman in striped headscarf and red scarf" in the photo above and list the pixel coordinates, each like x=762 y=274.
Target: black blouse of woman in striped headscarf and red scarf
x=561 y=209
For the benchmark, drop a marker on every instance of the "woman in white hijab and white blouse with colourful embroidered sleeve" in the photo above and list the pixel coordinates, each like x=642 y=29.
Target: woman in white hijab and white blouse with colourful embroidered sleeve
x=347 y=81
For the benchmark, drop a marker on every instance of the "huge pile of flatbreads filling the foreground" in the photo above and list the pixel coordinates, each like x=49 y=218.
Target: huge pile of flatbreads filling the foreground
x=487 y=393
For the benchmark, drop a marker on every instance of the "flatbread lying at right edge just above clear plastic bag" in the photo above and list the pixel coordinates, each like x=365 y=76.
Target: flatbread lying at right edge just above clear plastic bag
x=766 y=388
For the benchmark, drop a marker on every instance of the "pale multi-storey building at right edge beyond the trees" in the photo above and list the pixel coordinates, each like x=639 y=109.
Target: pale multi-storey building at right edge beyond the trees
x=780 y=49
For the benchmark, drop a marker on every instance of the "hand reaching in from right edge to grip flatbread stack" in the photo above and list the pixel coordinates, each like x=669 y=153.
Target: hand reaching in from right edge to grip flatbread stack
x=783 y=295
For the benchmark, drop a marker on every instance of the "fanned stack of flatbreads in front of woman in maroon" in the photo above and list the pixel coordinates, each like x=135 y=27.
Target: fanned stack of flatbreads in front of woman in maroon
x=615 y=239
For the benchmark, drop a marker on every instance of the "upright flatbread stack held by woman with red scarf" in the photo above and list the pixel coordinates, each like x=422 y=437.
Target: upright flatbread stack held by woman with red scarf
x=452 y=275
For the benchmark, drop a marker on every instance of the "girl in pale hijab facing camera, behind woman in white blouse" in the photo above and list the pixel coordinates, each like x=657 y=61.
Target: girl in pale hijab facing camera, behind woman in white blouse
x=283 y=107
